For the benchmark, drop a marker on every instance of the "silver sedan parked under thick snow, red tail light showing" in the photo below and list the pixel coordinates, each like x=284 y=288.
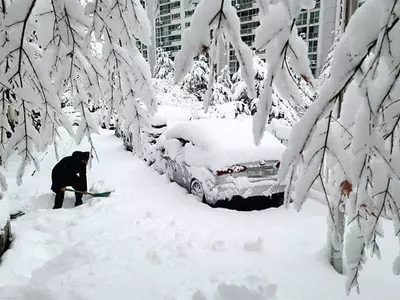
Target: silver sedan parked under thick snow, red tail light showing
x=217 y=160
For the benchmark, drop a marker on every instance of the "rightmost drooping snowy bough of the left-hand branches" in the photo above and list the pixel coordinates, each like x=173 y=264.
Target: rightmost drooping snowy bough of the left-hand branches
x=116 y=25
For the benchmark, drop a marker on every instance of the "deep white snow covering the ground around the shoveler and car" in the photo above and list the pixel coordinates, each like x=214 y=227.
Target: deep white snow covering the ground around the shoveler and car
x=151 y=240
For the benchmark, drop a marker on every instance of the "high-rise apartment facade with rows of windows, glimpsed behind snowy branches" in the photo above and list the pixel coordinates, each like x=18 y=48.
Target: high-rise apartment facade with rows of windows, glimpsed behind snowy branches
x=316 y=26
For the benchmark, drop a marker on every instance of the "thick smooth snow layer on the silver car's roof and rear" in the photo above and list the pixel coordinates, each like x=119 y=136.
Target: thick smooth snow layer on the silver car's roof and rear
x=223 y=142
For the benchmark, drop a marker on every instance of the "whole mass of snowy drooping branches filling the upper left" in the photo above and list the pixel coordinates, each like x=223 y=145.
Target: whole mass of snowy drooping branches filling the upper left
x=83 y=48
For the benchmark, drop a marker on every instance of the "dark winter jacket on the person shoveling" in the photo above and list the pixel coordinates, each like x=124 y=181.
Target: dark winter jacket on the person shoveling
x=70 y=171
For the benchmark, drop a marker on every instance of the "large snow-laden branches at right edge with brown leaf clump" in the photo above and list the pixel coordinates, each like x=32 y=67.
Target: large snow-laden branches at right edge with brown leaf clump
x=356 y=135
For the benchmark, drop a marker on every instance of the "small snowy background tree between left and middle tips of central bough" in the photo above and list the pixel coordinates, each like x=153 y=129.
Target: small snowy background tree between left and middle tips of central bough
x=196 y=81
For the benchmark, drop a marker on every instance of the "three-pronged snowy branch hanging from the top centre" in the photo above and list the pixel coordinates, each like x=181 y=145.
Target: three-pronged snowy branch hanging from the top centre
x=219 y=17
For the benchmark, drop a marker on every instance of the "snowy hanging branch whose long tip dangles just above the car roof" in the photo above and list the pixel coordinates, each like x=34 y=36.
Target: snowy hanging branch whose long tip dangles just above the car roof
x=286 y=55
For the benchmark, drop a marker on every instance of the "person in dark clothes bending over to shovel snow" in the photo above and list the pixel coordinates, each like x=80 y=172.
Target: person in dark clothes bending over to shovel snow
x=70 y=171
